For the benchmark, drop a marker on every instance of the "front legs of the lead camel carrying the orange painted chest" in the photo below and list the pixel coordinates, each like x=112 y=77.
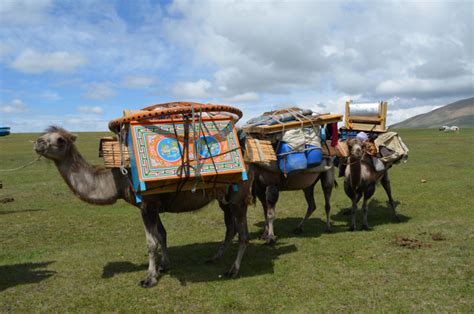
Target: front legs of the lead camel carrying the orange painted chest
x=155 y=233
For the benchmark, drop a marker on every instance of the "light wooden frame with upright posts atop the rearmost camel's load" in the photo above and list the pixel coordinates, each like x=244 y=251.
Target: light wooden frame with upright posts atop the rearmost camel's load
x=367 y=123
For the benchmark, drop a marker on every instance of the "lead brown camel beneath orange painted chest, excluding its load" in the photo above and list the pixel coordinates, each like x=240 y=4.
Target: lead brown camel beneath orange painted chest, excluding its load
x=101 y=186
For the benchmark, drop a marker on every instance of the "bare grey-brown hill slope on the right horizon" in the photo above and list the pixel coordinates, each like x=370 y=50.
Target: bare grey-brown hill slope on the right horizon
x=460 y=113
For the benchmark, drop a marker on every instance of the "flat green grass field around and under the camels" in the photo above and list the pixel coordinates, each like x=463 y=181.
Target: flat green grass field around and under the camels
x=60 y=254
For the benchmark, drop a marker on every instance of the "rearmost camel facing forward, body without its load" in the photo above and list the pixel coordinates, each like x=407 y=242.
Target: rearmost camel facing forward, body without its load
x=360 y=181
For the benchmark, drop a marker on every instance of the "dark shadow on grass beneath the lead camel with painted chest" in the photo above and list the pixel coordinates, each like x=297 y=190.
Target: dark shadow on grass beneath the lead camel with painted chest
x=188 y=262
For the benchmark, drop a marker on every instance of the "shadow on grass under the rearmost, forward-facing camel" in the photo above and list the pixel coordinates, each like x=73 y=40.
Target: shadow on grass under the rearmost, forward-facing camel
x=380 y=213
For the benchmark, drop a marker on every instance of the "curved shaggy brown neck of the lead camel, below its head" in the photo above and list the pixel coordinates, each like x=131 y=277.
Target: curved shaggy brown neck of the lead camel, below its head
x=90 y=184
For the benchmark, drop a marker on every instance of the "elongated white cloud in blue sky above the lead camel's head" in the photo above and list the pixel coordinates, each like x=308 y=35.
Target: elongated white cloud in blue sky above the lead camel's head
x=33 y=62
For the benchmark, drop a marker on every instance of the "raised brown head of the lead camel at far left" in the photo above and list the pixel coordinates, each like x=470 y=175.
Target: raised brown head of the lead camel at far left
x=55 y=144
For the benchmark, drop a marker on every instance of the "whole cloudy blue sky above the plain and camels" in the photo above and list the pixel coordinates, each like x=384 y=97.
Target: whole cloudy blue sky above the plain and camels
x=79 y=64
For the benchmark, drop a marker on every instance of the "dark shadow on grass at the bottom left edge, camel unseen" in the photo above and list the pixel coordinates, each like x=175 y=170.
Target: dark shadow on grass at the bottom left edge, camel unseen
x=20 y=274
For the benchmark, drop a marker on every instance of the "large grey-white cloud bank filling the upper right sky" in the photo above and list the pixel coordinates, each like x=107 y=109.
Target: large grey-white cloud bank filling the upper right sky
x=346 y=47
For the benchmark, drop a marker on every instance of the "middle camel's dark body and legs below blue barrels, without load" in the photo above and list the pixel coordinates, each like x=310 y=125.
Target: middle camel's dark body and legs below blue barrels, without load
x=268 y=183
